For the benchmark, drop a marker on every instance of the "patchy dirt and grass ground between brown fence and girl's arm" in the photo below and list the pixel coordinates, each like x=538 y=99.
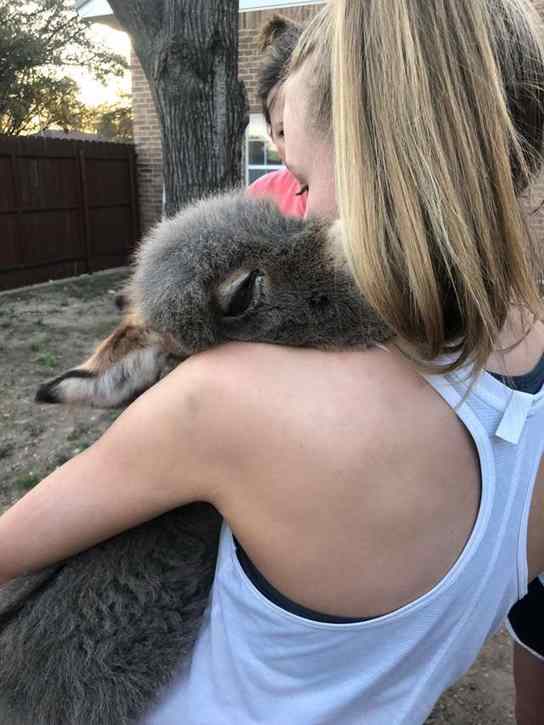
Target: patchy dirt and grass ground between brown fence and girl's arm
x=49 y=329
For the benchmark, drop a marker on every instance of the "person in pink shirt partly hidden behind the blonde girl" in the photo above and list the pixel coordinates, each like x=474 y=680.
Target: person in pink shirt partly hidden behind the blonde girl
x=278 y=39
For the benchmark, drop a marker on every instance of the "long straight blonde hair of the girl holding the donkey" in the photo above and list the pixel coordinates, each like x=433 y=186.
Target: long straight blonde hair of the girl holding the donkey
x=438 y=122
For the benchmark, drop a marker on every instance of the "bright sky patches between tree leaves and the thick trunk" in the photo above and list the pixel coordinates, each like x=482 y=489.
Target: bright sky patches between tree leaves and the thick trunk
x=92 y=93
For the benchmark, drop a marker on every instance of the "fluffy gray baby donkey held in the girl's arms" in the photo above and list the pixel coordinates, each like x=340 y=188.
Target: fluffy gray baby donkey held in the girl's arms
x=94 y=639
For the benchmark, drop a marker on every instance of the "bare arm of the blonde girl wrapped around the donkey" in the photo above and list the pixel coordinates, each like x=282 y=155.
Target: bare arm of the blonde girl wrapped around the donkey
x=172 y=446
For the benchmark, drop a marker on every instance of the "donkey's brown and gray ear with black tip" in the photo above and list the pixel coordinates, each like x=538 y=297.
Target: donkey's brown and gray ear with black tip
x=126 y=364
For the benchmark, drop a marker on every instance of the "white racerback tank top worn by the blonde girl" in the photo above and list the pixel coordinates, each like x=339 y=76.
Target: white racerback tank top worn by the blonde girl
x=254 y=662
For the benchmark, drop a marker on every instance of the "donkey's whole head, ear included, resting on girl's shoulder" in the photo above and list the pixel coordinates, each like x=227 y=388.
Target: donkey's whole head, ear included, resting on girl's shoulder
x=227 y=268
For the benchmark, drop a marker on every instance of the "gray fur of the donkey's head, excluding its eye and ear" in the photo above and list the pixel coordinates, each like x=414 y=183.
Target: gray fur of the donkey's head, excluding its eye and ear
x=307 y=297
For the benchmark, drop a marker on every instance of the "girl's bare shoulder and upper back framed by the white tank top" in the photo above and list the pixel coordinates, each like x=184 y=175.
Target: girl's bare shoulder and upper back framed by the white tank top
x=354 y=444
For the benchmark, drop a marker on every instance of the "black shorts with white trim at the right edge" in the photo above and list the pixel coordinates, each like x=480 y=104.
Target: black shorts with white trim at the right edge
x=525 y=619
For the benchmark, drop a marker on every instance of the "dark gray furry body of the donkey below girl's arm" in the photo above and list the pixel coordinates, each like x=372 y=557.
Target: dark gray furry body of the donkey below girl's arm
x=94 y=641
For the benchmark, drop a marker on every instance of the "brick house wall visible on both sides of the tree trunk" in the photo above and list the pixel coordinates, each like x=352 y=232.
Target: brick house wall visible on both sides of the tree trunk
x=146 y=123
